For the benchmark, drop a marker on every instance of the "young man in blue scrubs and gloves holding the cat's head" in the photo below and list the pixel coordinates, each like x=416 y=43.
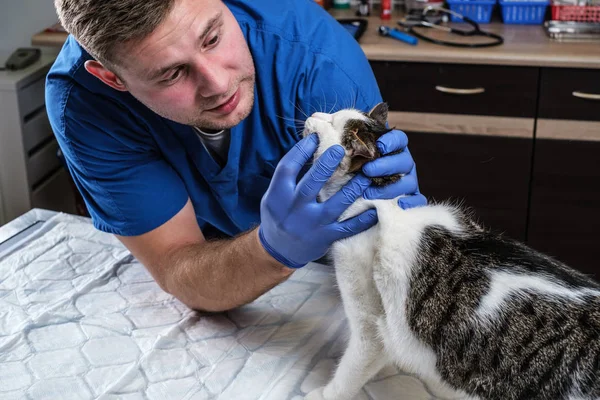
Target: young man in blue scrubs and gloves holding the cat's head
x=180 y=116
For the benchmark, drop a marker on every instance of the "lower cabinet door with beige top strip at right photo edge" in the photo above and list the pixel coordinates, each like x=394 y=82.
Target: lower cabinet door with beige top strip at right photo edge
x=565 y=197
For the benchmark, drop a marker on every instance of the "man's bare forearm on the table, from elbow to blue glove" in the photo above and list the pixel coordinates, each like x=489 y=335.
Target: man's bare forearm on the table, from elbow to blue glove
x=220 y=275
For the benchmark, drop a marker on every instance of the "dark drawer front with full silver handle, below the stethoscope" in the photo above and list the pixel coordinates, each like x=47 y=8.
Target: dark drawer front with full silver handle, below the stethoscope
x=458 y=89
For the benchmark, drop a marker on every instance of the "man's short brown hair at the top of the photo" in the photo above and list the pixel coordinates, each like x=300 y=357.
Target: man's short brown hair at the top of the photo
x=102 y=26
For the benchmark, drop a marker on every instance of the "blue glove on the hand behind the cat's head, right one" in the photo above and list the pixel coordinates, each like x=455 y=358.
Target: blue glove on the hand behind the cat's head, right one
x=401 y=163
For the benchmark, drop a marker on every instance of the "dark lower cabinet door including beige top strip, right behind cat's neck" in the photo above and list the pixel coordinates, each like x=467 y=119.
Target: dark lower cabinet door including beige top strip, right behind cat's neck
x=481 y=162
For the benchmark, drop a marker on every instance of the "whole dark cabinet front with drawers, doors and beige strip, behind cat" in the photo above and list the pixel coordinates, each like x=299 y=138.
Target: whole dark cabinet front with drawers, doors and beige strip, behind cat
x=519 y=145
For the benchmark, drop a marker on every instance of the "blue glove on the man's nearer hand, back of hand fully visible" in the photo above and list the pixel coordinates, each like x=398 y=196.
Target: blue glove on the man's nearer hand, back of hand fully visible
x=296 y=229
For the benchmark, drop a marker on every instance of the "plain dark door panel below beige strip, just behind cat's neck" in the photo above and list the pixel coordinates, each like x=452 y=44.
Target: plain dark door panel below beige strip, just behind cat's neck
x=481 y=172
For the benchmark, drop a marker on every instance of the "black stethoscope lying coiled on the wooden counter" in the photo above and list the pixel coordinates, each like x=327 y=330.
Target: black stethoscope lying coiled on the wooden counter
x=425 y=21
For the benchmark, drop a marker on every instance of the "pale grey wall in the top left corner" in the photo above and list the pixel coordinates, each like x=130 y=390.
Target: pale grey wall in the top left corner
x=20 y=19
